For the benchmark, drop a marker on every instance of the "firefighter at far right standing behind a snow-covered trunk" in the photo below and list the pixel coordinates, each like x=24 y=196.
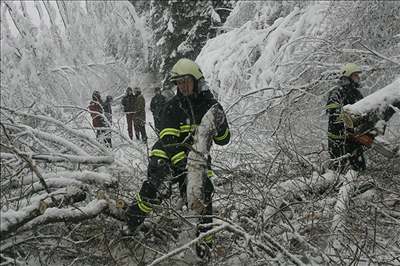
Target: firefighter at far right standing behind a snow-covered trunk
x=343 y=146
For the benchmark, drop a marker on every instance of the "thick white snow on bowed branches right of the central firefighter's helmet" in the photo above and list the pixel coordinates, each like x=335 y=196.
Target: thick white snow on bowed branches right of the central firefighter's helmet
x=253 y=55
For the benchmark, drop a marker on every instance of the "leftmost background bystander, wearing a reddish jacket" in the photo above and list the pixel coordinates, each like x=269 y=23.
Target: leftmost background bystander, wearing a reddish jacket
x=97 y=114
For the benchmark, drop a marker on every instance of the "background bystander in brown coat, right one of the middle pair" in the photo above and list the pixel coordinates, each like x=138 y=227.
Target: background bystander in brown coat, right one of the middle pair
x=139 y=118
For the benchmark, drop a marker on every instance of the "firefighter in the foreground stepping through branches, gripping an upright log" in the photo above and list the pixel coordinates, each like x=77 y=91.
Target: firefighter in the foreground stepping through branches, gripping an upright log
x=168 y=156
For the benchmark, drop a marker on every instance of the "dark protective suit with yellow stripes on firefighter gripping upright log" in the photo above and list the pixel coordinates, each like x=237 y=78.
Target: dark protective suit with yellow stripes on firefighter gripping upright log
x=180 y=117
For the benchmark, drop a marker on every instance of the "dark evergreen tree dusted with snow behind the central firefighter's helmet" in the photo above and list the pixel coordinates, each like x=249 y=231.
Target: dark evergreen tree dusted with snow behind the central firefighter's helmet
x=181 y=28
